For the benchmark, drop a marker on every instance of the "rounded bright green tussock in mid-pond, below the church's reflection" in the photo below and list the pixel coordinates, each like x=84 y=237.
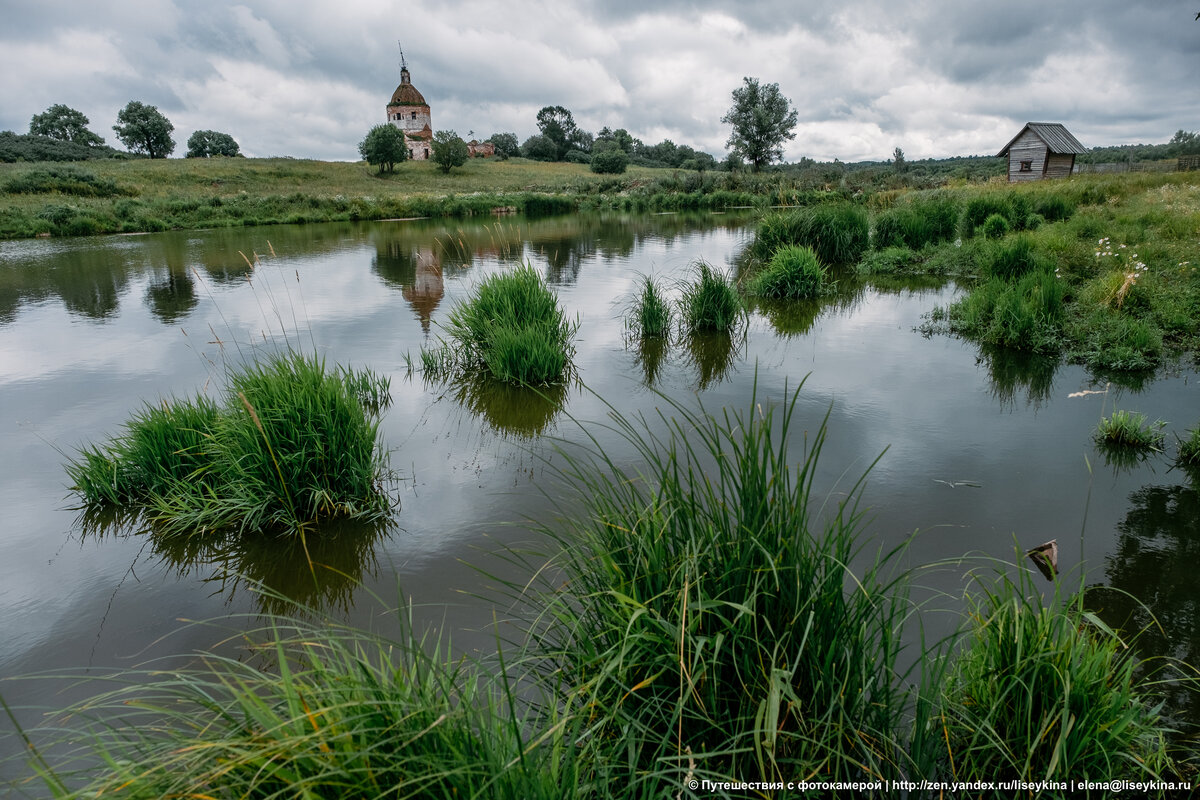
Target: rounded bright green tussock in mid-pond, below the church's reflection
x=513 y=330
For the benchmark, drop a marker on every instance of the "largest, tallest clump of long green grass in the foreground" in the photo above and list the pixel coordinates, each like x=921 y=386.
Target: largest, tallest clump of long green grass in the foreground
x=716 y=624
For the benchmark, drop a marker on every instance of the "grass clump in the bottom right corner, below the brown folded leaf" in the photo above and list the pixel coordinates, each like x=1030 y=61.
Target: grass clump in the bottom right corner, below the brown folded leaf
x=1045 y=694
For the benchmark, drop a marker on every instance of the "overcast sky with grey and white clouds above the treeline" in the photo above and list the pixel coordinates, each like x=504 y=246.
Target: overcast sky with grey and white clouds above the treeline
x=308 y=79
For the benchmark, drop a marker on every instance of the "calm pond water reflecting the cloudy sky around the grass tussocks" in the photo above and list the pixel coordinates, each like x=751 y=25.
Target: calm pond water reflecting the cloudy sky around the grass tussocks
x=985 y=454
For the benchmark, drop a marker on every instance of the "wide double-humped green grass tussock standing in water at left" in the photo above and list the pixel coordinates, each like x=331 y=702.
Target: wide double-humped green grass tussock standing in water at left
x=293 y=443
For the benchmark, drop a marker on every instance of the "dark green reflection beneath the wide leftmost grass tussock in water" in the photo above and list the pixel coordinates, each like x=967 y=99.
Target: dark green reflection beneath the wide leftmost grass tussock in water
x=319 y=570
